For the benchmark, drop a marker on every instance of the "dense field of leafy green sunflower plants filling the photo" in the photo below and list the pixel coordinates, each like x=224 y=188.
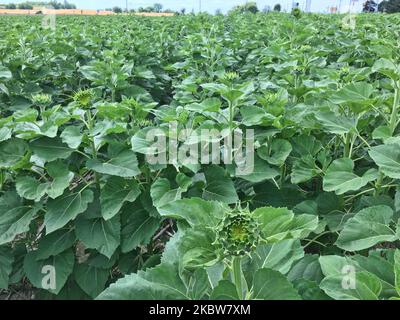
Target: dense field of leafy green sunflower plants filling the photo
x=78 y=194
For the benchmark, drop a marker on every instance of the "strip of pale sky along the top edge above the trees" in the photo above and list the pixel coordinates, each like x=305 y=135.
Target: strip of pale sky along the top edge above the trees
x=210 y=5
